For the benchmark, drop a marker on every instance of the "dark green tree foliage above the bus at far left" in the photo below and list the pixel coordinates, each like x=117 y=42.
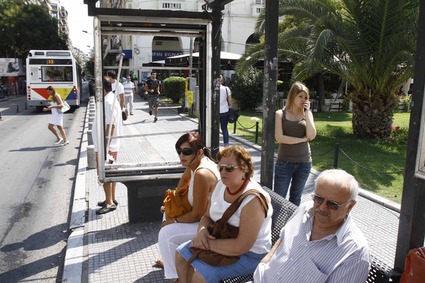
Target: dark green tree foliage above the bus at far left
x=27 y=26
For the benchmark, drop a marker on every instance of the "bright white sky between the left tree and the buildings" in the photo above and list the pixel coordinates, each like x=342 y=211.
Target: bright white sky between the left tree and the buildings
x=78 y=20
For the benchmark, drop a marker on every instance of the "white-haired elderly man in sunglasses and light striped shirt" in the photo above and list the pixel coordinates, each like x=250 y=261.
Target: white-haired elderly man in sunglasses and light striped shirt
x=321 y=242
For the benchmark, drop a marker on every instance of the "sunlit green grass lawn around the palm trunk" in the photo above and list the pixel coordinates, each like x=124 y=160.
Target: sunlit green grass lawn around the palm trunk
x=378 y=165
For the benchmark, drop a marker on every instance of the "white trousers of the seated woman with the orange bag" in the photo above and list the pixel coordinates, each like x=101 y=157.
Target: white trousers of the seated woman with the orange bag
x=169 y=238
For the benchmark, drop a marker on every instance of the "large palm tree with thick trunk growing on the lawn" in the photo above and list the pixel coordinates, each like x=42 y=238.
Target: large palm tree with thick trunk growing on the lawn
x=369 y=44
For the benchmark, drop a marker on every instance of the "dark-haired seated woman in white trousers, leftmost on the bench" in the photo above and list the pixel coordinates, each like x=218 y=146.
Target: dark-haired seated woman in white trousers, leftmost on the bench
x=201 y=175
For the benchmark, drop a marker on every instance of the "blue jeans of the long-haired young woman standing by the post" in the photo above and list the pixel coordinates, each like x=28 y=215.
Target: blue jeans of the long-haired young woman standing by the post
x=295 y=174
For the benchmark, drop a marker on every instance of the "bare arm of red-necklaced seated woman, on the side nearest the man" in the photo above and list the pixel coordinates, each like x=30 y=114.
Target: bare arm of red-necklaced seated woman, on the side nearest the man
x=251 y=220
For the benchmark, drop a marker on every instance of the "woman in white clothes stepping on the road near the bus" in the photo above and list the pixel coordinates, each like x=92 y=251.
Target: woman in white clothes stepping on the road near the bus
x=57 y=117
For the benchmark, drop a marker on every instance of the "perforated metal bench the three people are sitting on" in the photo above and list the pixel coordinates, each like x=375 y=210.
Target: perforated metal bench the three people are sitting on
x=282 y=210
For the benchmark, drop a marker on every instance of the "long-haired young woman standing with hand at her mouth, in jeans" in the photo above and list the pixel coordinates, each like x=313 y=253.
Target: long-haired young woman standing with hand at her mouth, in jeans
x=294 y=129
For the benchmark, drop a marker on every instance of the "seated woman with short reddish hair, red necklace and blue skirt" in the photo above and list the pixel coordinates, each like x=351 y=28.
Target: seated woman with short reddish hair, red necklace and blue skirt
x=254 y=237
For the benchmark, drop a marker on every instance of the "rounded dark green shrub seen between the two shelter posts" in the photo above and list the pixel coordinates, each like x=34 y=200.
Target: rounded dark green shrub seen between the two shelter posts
x=247 y=89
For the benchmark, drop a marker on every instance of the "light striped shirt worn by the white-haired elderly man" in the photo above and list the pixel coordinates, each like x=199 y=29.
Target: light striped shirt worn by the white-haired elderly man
x=340 y=257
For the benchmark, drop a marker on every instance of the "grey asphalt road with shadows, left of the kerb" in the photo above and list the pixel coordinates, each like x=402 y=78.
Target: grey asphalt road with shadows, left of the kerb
x=36 y=187
